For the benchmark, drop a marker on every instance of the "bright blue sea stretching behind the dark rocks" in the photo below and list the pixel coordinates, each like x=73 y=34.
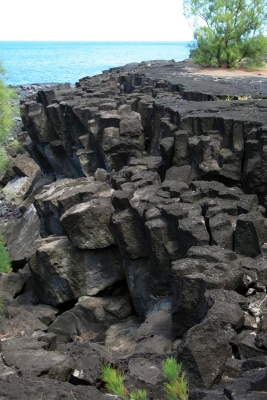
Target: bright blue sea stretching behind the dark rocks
x=43 y=62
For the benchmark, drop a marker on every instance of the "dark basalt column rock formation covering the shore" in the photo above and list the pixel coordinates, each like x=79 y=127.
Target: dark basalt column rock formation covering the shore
x=142 y=234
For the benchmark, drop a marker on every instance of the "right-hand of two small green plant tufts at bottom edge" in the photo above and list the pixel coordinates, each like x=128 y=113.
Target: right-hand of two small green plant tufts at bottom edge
x=177 y=385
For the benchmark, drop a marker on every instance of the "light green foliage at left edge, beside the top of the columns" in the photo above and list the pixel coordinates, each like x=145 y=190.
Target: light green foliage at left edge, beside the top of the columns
x=7 y=111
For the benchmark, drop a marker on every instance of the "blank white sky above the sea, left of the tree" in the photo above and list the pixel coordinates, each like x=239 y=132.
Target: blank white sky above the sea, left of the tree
x=94 y=20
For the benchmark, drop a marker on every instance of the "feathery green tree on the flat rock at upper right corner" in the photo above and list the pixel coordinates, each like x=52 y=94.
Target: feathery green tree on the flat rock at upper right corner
x=233 y=31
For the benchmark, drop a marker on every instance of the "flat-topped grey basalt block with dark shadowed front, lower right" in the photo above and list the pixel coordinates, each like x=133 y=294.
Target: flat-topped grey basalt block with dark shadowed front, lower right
x=205 y=268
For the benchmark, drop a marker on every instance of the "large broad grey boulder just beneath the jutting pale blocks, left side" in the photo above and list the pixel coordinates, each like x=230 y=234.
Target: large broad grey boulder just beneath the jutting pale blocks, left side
x=62 y=272
